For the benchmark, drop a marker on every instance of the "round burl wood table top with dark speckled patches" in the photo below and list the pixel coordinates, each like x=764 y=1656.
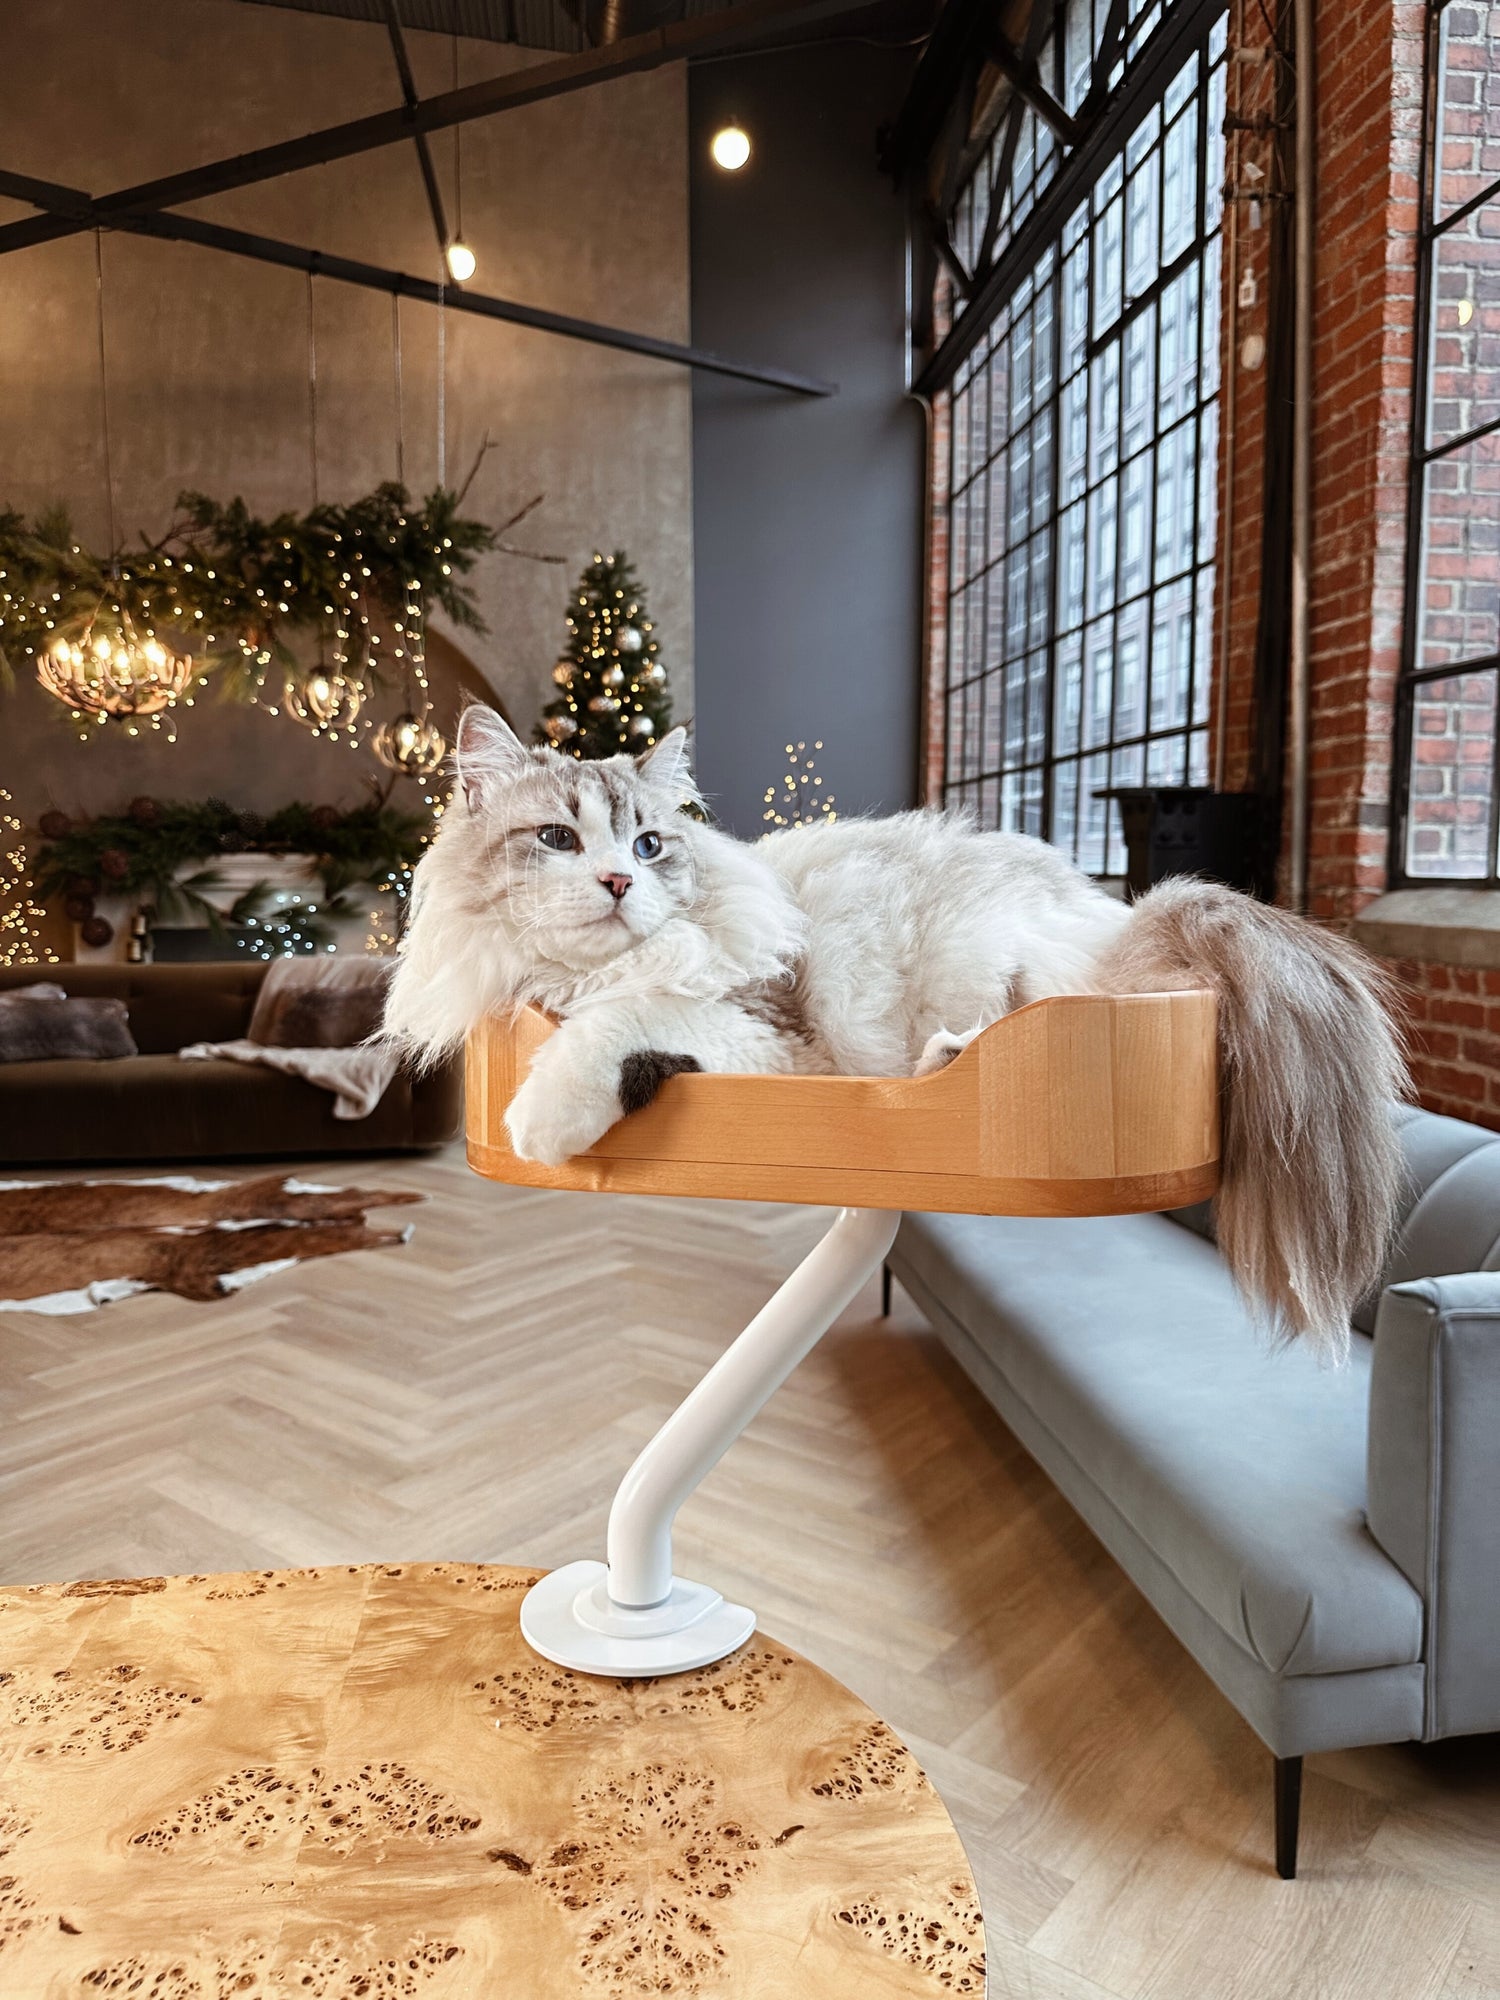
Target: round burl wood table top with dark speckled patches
x=357 y=1783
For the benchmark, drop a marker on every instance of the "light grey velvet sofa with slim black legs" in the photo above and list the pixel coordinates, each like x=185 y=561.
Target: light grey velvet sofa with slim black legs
x=1325 y=1543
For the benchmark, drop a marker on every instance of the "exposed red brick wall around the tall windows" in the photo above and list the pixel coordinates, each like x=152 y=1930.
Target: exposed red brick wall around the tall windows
x=1369 y=147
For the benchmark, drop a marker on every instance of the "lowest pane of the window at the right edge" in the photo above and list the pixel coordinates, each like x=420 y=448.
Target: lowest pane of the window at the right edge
x=1453 y=777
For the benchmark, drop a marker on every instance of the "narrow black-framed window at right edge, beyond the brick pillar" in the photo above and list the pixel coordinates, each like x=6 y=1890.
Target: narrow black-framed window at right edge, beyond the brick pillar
x=1449 y=821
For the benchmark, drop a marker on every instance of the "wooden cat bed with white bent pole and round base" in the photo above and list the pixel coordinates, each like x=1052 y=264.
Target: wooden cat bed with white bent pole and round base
x=1085 y=1105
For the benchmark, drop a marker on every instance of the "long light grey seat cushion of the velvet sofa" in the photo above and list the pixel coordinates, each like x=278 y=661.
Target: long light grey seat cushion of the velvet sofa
x=1243 y=1467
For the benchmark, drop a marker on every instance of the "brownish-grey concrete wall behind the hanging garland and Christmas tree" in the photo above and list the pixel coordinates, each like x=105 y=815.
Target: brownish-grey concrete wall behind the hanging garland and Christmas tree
x=577 y=205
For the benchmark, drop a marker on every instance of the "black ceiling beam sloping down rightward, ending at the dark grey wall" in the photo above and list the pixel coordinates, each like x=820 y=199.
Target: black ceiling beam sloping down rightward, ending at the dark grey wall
x=375 y=279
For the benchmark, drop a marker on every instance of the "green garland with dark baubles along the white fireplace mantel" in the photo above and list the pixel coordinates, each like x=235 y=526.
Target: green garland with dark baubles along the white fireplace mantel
x=145 y=851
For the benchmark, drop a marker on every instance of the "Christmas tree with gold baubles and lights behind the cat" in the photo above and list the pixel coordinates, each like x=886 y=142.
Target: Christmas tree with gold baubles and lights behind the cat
x=613 y=685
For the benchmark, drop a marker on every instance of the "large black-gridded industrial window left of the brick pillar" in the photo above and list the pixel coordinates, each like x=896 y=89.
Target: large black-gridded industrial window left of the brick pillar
x=1083 y=449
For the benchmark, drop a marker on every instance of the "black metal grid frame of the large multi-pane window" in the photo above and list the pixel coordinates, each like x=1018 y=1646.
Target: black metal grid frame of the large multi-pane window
x=1183 y=33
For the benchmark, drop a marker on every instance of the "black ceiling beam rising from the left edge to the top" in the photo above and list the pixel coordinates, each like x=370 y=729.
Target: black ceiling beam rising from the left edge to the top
x=711 y=35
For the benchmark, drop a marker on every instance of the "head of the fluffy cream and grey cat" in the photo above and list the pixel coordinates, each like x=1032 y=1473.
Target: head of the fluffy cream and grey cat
x=579 y=859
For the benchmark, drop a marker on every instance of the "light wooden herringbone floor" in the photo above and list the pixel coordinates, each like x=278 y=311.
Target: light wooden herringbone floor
x=479 y=1393
